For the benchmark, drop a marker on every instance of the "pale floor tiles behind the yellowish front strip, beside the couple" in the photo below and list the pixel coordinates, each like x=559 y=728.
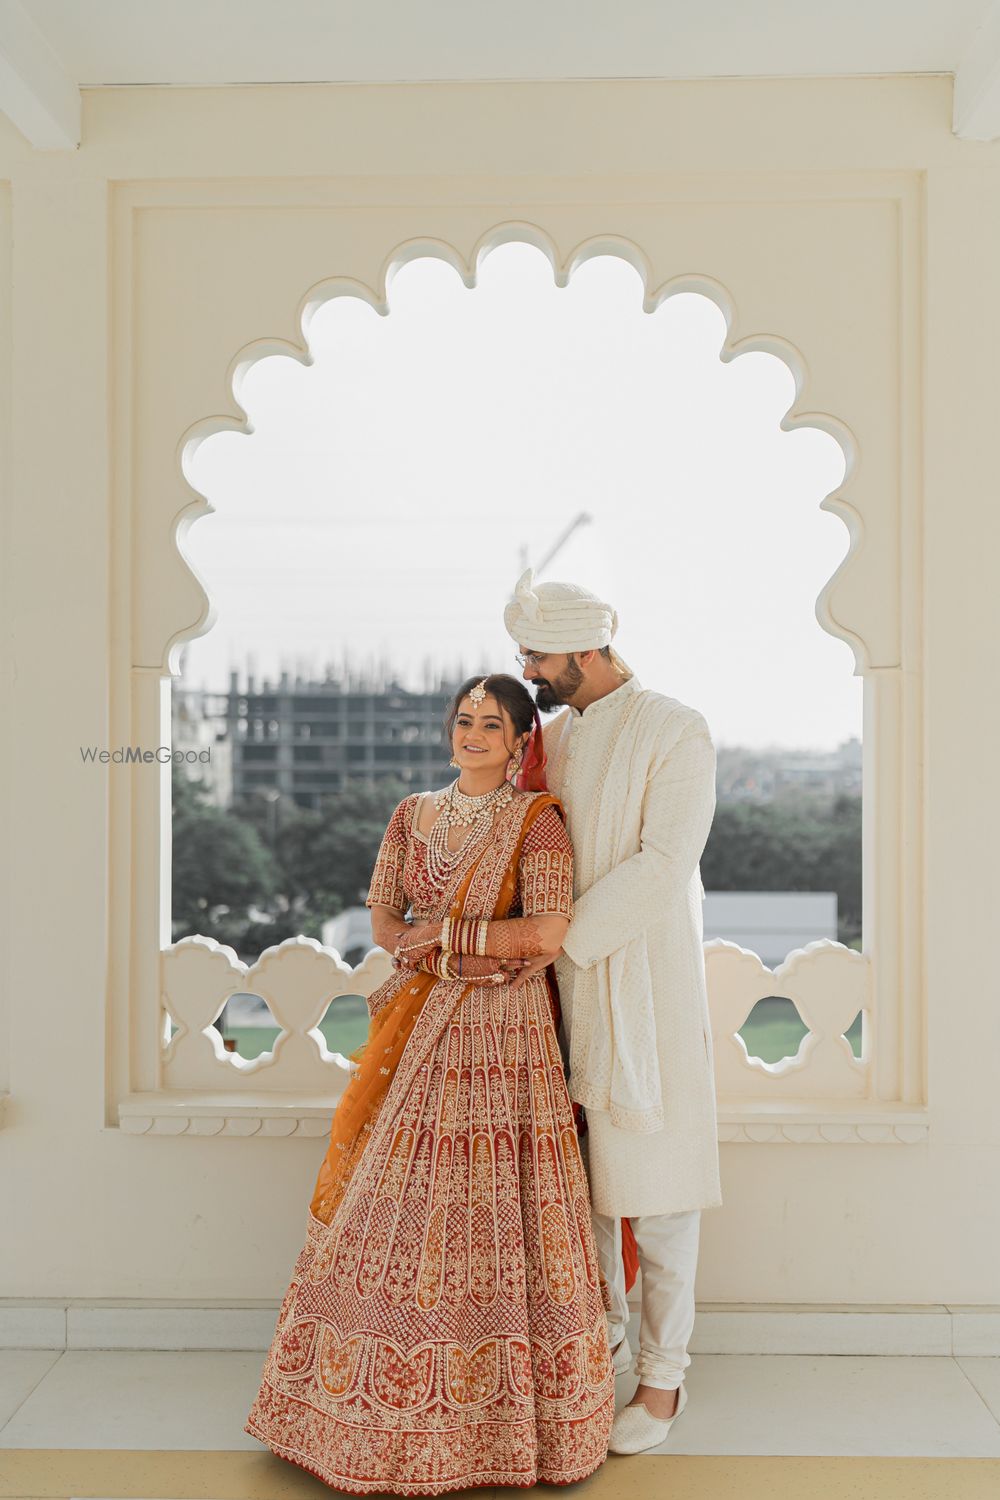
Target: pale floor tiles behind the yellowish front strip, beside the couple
x=740 y=1405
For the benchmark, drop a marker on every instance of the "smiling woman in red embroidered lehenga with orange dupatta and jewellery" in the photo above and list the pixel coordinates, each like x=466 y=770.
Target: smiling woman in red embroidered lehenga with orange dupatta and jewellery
x=445 y=1327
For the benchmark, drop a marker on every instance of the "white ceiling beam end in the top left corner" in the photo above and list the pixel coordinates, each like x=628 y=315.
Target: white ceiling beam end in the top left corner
x=35 y=92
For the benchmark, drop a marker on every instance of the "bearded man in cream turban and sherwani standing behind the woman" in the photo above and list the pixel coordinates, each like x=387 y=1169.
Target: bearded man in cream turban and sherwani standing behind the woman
x=636 y=775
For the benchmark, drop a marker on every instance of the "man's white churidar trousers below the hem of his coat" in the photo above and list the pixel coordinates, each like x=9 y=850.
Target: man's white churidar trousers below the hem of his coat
x=668 y=1259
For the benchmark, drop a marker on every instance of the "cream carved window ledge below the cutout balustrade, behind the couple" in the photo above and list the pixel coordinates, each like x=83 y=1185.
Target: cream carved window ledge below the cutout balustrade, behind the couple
x=800 y=1124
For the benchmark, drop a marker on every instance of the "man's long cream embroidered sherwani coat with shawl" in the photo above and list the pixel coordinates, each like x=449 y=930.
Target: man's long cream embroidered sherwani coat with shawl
x=636 y=775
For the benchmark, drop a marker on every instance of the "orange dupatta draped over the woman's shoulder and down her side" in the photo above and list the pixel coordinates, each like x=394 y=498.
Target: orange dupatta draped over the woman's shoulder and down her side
x=391 y=1031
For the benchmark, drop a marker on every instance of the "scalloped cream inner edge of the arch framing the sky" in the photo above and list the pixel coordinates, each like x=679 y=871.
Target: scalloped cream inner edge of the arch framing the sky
x=563 y=266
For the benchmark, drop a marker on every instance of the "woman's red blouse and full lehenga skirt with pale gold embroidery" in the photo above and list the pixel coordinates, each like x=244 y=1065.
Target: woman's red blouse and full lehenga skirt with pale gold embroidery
x=446 y=1328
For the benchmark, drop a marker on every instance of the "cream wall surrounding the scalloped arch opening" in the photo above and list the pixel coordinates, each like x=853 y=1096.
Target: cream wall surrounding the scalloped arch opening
x=194 y=221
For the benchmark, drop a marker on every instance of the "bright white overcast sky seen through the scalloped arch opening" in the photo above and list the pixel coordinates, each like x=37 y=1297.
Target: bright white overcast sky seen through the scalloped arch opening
x=383 y=502
